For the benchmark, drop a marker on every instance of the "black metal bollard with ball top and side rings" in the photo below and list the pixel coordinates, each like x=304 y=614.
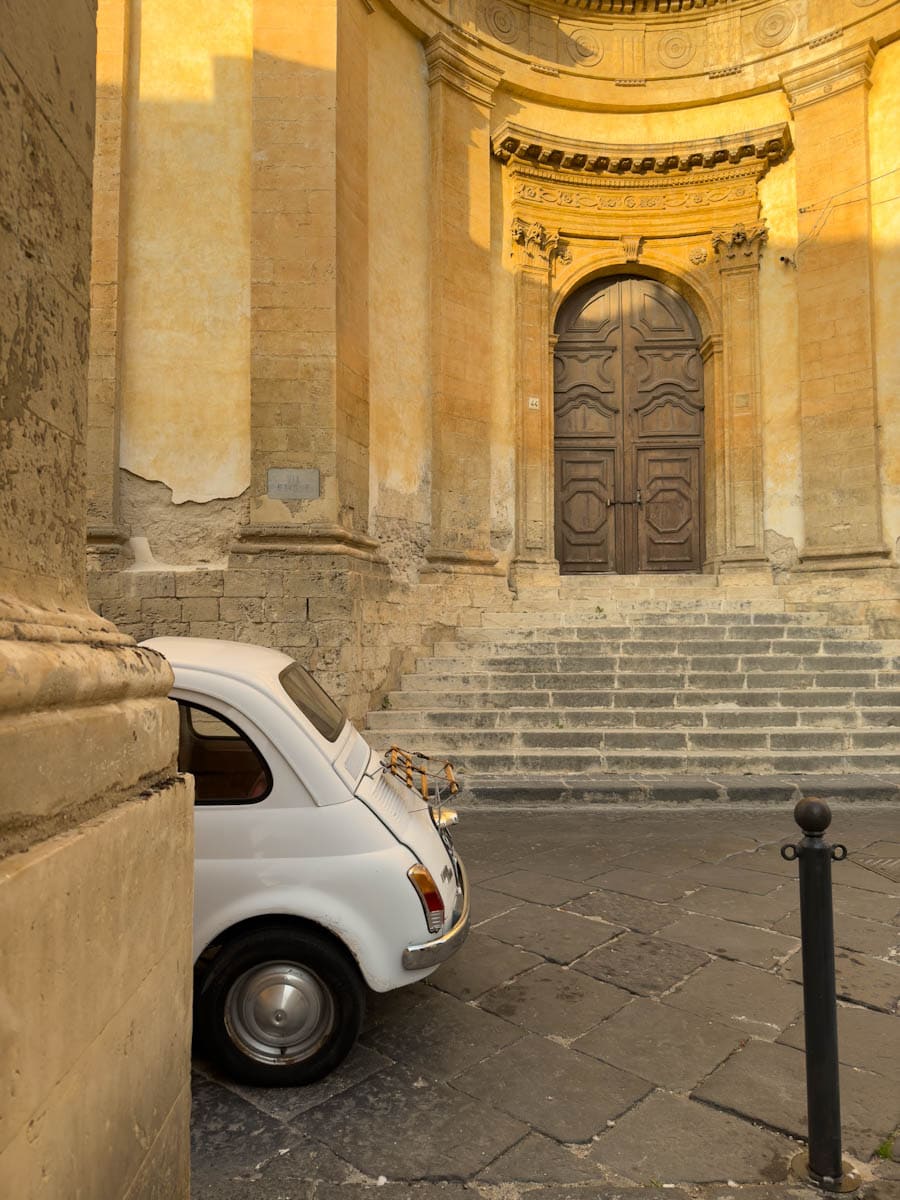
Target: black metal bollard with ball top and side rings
x=824 y=1166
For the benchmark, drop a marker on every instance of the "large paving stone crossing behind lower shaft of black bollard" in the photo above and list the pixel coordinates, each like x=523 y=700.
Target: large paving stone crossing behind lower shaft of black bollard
x=766 y=1082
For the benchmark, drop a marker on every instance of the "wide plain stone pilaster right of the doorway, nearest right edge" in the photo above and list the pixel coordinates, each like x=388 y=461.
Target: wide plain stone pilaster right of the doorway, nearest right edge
x=842 y=501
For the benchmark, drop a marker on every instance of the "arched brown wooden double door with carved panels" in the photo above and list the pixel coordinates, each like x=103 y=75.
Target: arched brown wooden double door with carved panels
x=628 y=413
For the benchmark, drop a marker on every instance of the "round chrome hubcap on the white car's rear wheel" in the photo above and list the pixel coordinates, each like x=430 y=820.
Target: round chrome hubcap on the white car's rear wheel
x=279 y=1013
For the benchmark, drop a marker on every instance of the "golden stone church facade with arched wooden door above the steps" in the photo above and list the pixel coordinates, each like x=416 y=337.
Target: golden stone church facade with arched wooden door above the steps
x=406 y=310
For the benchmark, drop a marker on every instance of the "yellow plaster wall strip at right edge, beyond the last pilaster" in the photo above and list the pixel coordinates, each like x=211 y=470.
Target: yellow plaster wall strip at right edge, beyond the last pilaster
x=885 y=171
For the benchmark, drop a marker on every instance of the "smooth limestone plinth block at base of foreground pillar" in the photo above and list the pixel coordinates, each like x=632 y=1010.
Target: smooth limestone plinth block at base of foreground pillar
x=98 y=1057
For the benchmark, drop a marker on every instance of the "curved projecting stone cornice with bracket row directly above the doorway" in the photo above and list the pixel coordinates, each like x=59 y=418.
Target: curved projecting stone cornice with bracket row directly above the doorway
x=514 y=145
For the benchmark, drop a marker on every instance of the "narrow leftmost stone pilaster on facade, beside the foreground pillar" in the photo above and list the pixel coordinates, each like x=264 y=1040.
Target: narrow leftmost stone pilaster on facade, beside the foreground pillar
x=106 y=532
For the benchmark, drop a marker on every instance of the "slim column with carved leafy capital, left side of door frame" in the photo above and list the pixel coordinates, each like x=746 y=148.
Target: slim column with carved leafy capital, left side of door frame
x=536 y=249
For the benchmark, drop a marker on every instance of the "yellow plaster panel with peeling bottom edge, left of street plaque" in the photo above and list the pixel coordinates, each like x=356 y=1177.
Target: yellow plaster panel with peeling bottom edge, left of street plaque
x=185 y=417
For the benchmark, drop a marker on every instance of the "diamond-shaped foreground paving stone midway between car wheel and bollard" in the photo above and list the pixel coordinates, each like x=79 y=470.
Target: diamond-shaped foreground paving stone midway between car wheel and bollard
x=559 y=1093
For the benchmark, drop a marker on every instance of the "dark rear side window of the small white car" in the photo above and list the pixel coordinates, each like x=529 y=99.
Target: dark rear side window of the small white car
x=225 y=764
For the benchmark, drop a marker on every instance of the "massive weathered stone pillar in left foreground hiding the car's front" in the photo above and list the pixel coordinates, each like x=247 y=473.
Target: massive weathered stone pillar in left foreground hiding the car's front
x=95 y=824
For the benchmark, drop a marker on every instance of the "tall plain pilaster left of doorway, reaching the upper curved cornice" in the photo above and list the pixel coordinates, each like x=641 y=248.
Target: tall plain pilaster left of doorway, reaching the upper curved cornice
x=461 y=95
